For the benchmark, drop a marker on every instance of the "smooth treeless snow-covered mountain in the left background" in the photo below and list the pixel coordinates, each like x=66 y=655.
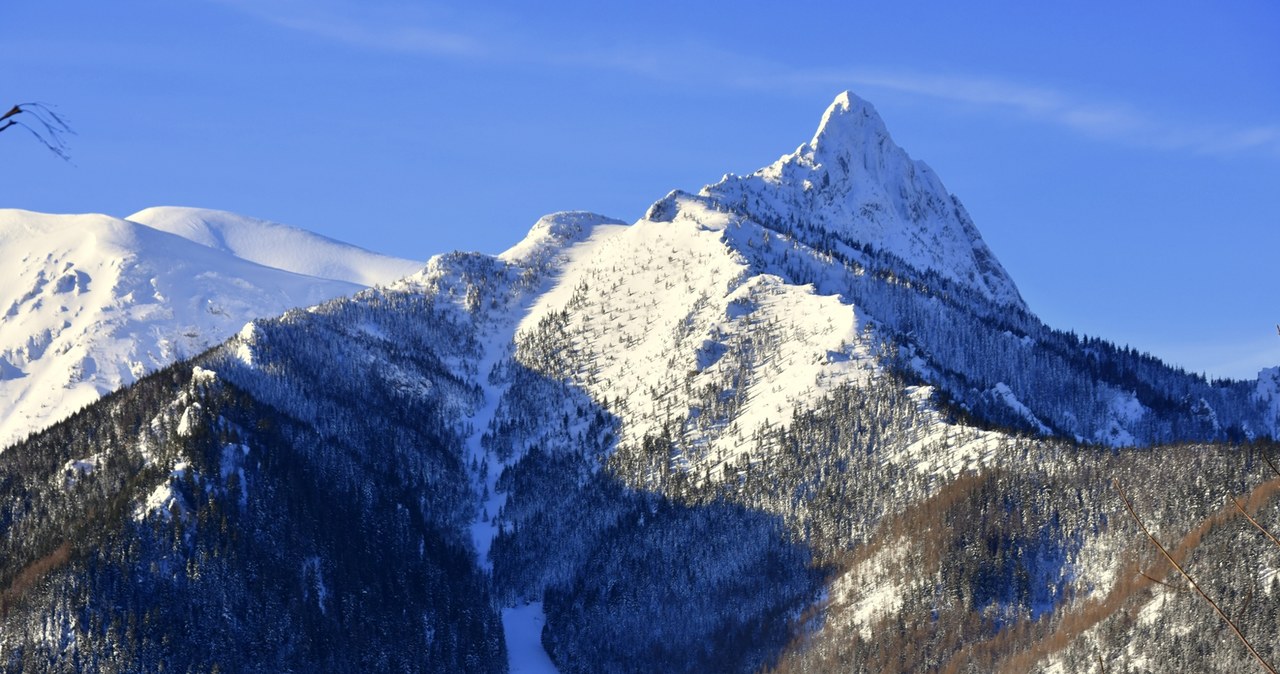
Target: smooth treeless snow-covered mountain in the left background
x=92 y=302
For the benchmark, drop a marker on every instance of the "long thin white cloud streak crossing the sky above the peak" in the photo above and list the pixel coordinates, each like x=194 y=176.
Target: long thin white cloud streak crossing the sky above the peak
x=417 y=30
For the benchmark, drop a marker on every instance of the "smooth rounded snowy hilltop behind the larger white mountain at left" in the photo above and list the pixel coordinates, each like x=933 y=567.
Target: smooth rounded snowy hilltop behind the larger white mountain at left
x=277 y=246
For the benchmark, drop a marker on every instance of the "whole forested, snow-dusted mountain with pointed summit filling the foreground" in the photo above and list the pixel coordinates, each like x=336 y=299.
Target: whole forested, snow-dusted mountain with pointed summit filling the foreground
x=799 y=421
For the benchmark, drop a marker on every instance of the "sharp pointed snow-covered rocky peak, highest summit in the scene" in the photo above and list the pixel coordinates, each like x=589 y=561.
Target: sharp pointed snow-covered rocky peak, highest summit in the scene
x=852 y=189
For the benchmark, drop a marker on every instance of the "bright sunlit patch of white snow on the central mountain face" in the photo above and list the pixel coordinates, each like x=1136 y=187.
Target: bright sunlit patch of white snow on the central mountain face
x=653 y=308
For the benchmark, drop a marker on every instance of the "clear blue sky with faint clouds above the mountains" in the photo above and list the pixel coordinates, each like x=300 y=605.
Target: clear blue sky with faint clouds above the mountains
x=1122 y=159
